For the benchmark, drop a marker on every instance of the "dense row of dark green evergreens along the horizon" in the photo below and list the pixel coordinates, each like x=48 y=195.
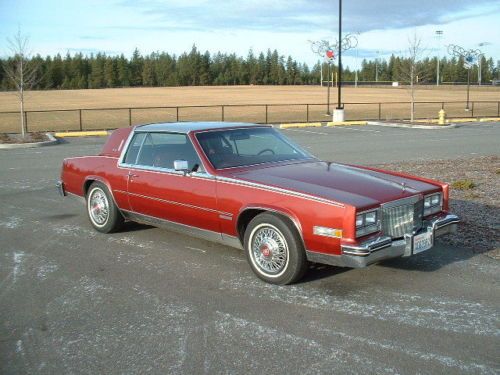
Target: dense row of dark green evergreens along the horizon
x=195 y=68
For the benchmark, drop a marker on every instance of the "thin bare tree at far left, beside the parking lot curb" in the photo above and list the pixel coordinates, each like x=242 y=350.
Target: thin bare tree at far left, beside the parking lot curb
x=21 y=70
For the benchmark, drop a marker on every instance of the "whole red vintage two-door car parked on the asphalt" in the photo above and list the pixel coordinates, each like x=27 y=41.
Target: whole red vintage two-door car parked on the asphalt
x=248 y=186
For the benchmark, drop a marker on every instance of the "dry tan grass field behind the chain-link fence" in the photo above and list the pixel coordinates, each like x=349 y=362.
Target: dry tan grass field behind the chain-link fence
x=235 y=97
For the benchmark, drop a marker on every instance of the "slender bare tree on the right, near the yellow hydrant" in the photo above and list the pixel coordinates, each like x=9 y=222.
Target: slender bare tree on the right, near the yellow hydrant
x=411 y=71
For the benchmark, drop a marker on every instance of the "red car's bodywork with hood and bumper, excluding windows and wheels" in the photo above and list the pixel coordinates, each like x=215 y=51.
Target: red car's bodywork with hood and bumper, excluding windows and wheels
x=218 y=203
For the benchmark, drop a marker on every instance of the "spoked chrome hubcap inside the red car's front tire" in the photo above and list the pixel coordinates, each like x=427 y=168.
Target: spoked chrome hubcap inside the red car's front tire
x=269 y=250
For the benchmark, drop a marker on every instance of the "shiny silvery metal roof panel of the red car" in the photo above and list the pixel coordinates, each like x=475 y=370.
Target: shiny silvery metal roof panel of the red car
x=186 y=127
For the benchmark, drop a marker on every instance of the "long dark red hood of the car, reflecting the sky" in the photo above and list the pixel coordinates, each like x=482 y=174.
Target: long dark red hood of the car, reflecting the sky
x=341 y=183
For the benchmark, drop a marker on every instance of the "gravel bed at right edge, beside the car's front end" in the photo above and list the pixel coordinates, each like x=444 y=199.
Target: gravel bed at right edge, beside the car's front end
x=479 y=207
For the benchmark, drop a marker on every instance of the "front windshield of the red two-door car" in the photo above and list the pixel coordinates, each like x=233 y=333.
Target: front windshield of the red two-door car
x=247 y=146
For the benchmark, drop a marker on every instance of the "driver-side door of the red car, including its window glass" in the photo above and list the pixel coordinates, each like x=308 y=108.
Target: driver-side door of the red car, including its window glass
x=156 y=190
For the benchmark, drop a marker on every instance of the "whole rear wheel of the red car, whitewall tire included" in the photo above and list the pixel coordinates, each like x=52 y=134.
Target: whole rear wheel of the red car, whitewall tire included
x=101 y=209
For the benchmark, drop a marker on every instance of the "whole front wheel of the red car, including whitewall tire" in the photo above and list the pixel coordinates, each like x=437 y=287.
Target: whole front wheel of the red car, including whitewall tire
x=274 y=250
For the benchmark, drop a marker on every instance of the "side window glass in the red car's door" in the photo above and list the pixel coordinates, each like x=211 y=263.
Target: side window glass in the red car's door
x=160 y=150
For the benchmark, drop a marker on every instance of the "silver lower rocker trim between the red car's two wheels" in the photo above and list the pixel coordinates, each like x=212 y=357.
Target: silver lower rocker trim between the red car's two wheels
x=183 y=228
